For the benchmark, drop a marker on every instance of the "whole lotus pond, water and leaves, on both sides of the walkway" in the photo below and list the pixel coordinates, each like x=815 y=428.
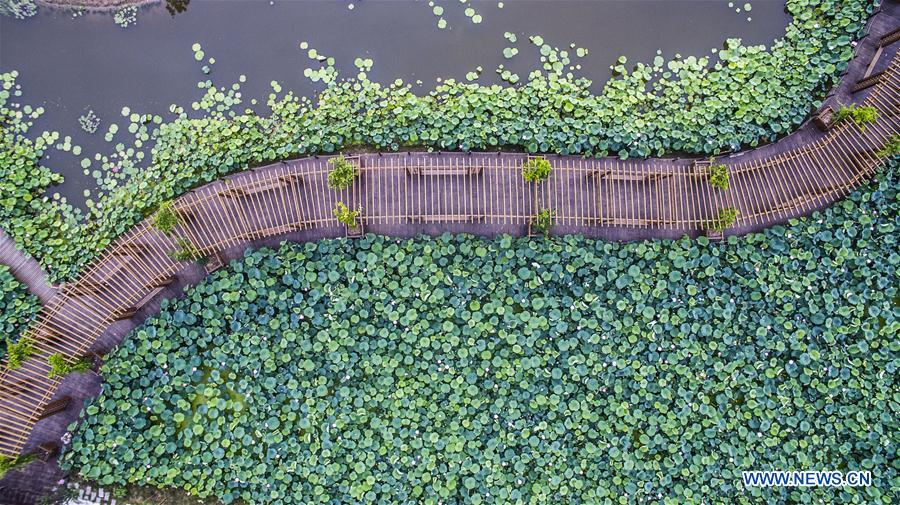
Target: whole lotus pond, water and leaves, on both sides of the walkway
x=456 y=369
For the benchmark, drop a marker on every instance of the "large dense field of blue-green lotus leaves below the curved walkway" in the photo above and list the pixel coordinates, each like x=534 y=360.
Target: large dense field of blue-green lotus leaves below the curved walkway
x=466 y=370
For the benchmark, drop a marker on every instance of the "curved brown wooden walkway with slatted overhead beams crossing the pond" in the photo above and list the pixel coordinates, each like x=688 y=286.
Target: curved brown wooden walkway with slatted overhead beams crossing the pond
x=430 y=192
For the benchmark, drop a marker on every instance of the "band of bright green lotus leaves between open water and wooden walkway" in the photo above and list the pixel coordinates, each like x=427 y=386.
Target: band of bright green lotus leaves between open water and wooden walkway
x=750 y=94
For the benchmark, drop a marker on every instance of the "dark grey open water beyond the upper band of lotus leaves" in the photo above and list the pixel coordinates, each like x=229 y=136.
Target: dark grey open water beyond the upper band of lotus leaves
x=71 y=65
